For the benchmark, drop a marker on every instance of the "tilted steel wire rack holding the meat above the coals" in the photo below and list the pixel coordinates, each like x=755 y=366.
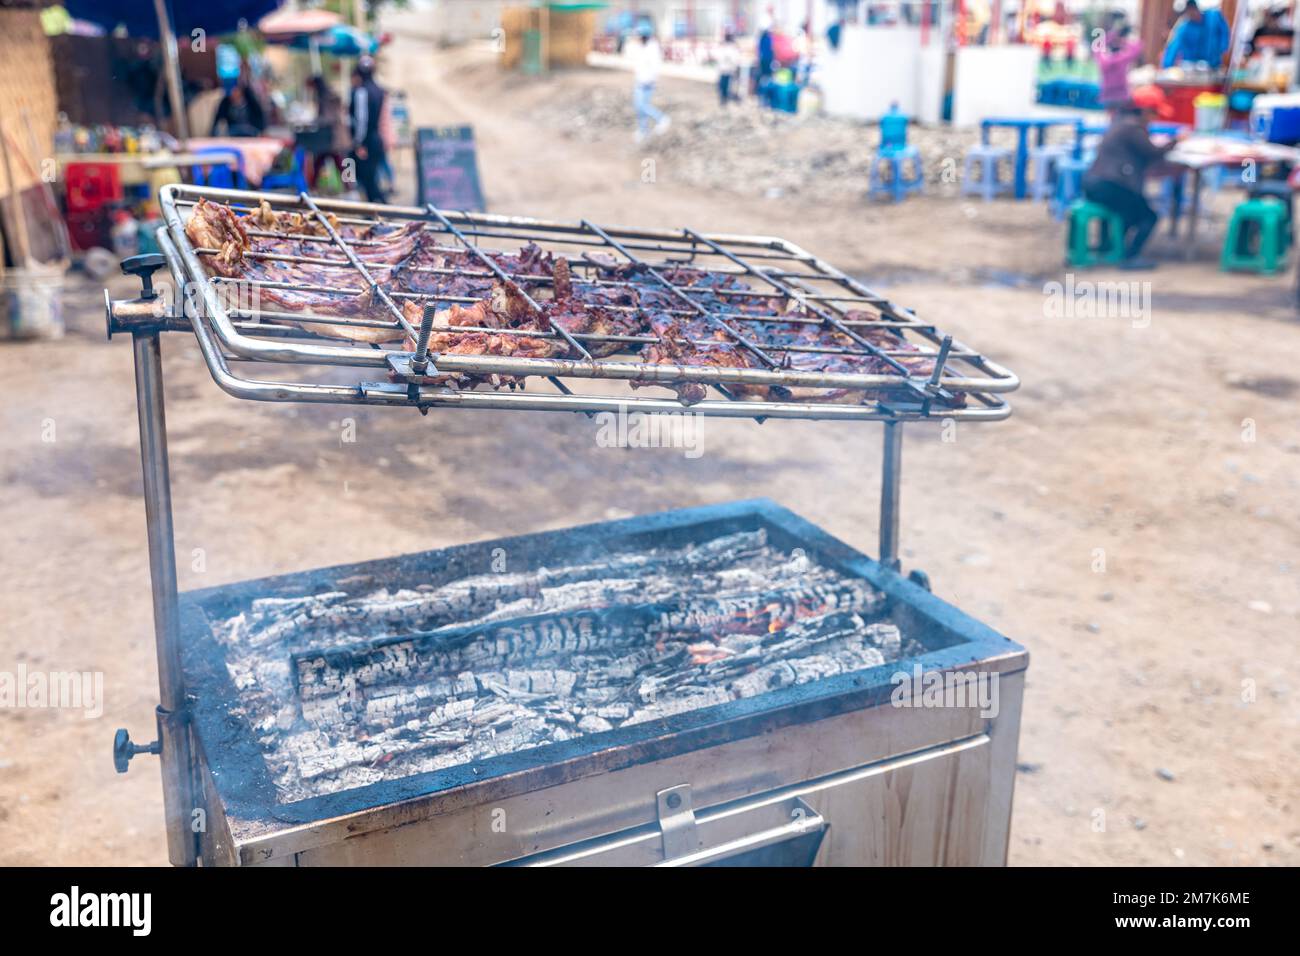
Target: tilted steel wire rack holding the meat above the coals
x=307 y=366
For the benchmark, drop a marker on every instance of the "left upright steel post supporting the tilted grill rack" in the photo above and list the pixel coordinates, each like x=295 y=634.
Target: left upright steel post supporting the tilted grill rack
x=174 y=715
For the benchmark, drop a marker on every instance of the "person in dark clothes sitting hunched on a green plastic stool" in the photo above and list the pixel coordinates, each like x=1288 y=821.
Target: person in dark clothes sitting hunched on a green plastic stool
x=1116 y=178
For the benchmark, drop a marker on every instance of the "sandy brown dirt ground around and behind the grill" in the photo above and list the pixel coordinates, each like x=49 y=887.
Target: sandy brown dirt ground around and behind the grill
x=1162 y=713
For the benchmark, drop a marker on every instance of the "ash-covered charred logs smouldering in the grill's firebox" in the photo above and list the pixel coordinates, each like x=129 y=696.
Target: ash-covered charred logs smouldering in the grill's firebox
x=346 y=690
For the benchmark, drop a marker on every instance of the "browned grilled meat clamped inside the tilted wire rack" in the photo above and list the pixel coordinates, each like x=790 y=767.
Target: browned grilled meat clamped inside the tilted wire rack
x=265 y=252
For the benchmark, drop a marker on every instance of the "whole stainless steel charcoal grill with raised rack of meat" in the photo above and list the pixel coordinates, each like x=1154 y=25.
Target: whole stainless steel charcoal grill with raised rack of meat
x=716 y=686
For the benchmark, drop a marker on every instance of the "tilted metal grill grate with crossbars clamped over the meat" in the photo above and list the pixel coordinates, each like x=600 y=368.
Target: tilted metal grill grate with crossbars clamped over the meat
x=943 y=379
